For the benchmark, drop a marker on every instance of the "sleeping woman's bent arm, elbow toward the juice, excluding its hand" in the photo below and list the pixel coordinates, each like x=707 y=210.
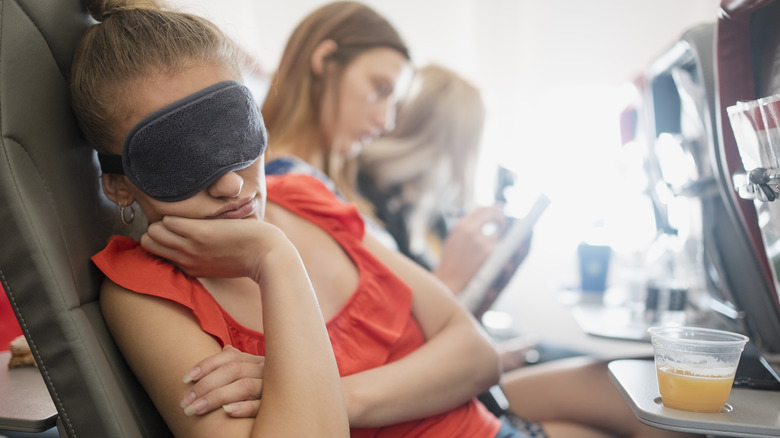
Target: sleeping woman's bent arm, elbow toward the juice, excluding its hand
x=456 y=363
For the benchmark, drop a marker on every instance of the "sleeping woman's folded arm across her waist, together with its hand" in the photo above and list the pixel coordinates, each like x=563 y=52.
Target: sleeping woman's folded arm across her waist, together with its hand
x=456 y=363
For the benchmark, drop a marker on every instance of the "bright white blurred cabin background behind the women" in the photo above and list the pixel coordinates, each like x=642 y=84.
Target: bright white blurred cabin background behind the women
x=555 y=76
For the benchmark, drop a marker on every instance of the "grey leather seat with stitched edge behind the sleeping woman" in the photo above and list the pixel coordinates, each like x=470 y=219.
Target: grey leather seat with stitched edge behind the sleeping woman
x=53 y=219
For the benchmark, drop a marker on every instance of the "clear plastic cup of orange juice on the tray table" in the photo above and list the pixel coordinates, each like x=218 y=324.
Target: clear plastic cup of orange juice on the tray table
x=695 y=366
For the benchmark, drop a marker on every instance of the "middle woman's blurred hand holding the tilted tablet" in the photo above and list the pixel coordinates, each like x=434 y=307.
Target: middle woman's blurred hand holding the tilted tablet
x=468 y=245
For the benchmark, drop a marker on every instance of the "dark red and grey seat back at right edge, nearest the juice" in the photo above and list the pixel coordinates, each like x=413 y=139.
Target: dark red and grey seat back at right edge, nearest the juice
x=747 y=67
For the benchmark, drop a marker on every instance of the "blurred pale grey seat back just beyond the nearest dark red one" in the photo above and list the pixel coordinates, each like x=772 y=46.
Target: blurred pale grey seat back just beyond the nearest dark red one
x=679 y=129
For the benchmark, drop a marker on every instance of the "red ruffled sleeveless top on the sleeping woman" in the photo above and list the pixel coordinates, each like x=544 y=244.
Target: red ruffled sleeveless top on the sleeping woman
x=374 y=327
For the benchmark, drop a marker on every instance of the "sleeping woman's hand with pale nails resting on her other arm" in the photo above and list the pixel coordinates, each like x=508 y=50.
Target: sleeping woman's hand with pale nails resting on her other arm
x=231 y=379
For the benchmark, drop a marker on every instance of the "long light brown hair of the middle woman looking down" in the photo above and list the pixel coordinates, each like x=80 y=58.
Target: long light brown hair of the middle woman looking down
x=293 y=103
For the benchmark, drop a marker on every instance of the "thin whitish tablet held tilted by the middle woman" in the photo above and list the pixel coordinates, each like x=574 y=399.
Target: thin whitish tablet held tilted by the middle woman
x=471 y=296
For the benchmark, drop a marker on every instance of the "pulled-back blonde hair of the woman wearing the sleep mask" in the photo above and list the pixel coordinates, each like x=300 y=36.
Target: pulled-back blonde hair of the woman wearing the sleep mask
x=131 y=40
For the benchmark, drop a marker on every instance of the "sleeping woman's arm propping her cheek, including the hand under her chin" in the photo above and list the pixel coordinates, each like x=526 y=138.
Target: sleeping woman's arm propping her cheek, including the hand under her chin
x=161 y=340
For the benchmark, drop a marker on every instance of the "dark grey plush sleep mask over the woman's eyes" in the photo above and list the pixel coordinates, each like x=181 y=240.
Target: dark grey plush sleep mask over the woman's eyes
x=181 y=149
